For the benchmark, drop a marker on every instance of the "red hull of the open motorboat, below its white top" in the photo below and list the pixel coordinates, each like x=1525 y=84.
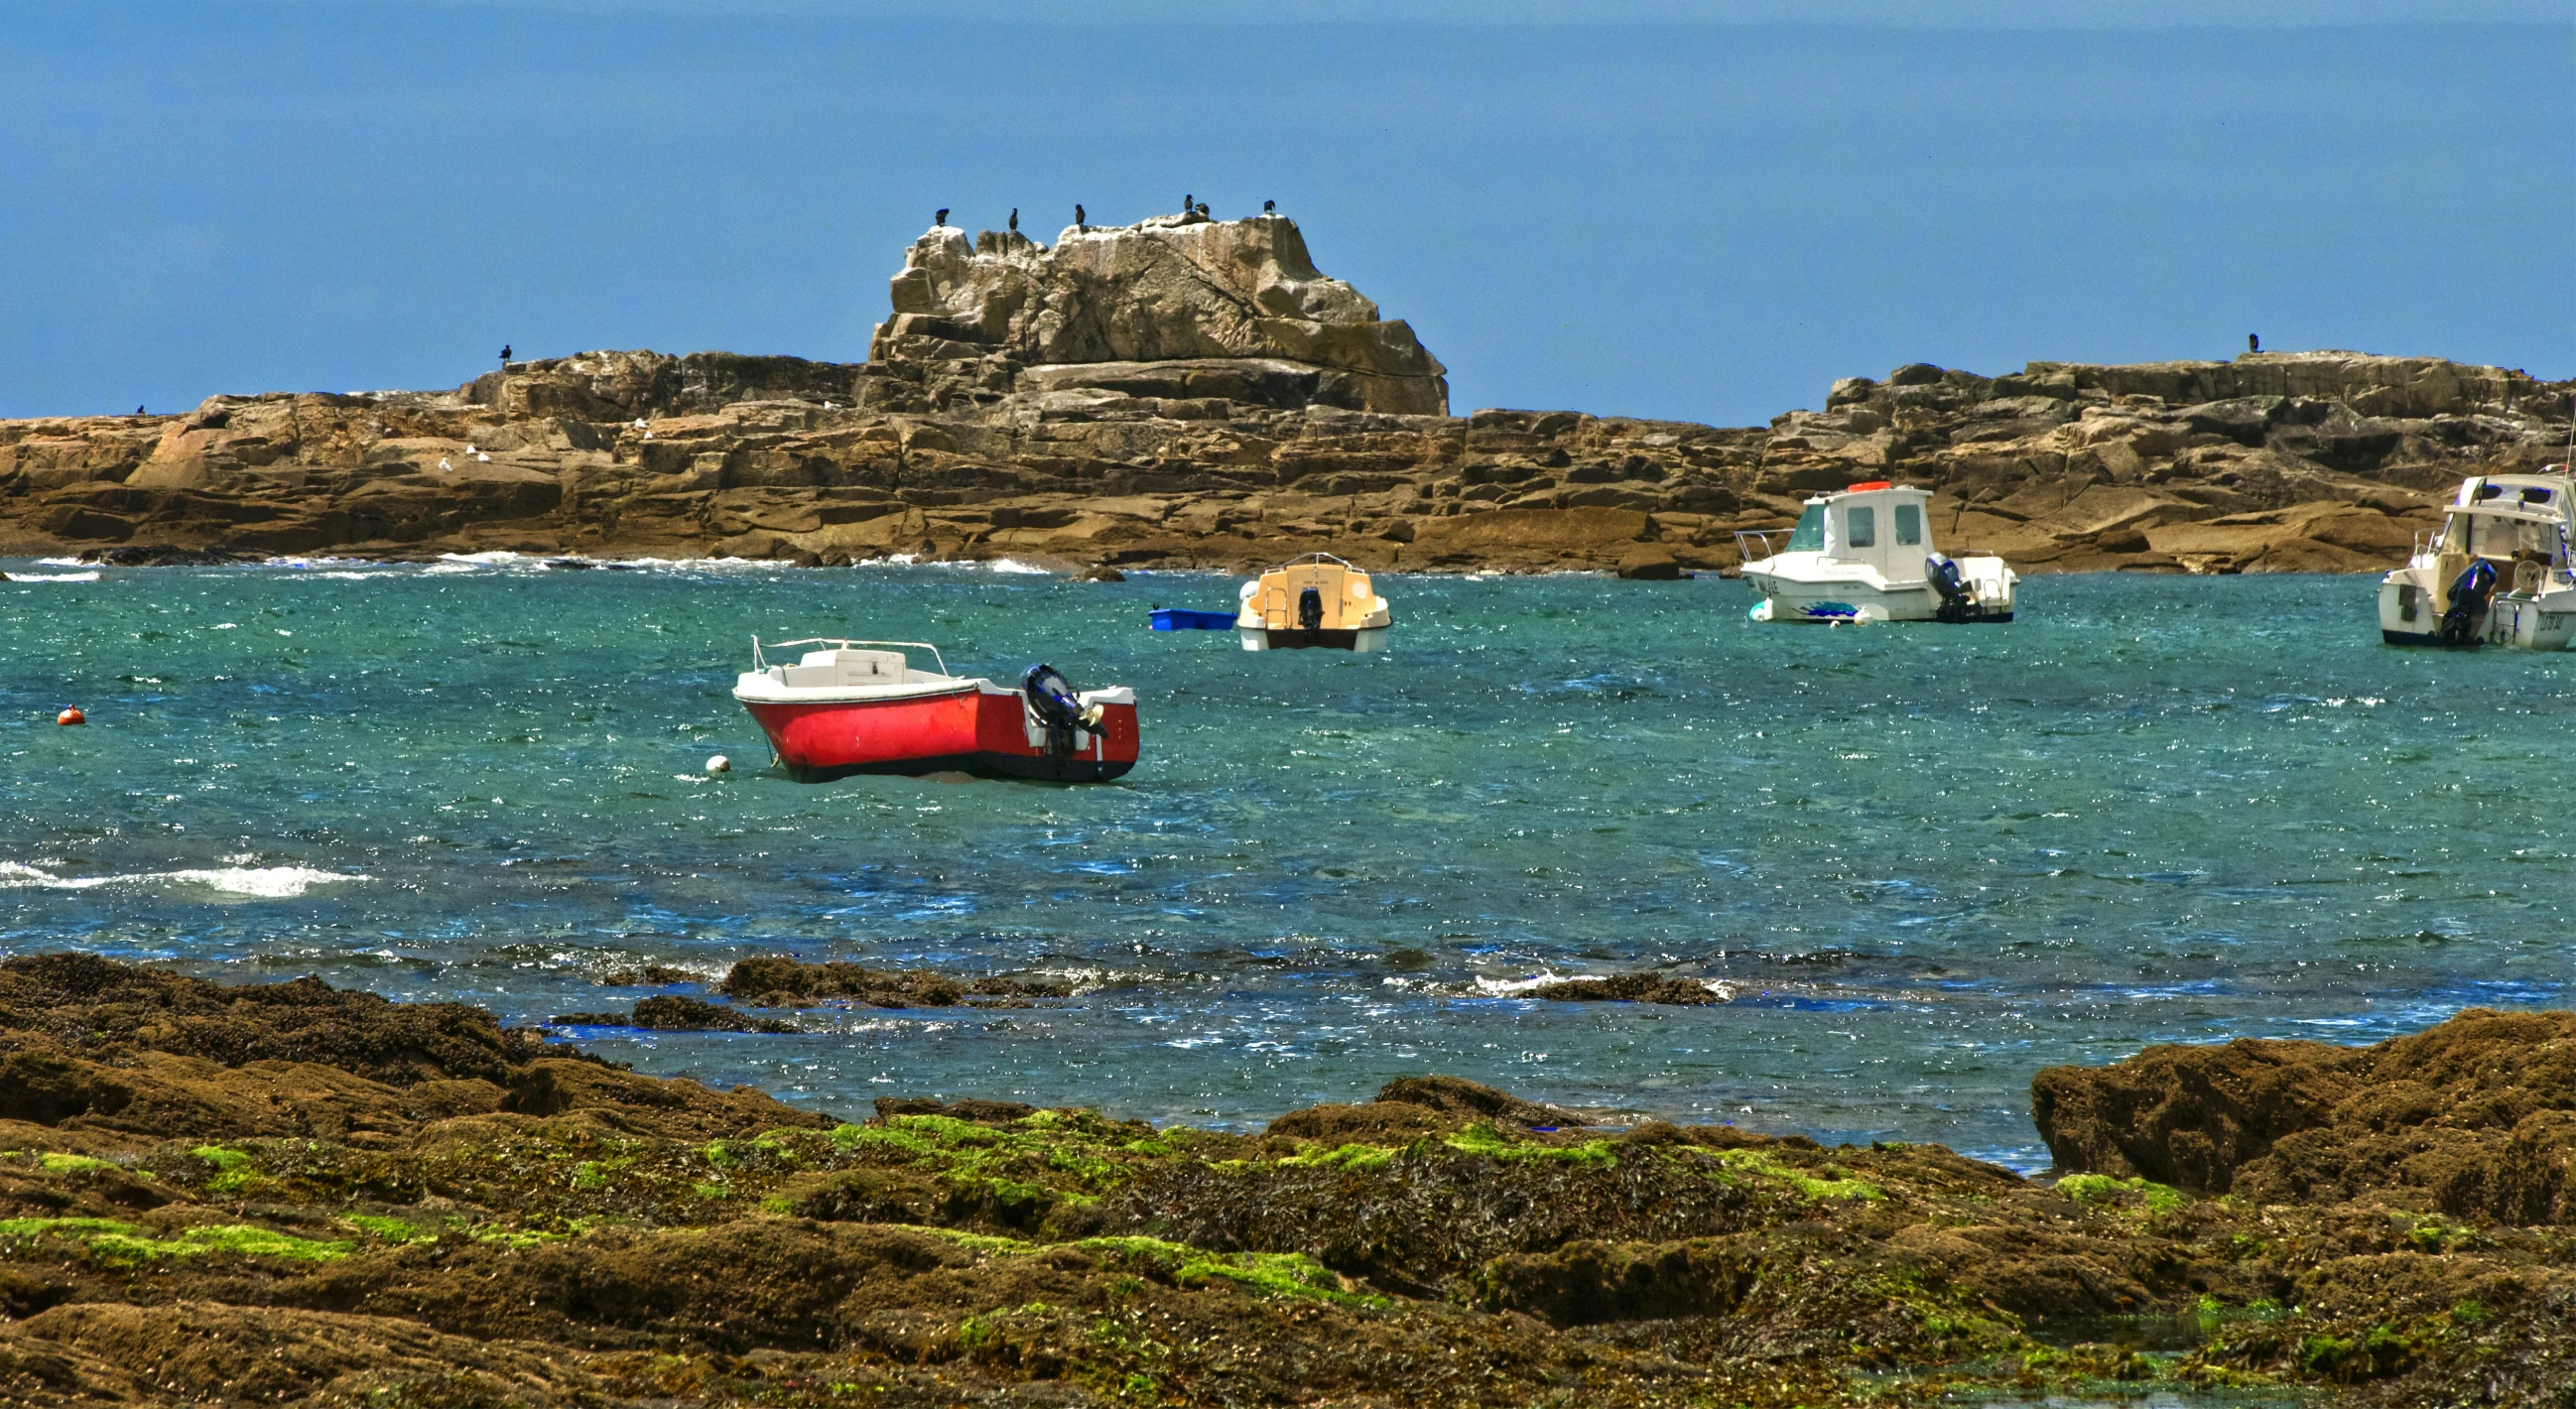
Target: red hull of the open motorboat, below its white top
x=975 y=730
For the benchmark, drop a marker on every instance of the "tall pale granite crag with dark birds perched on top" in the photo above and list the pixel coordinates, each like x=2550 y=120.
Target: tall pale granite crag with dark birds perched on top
x=1109 y=308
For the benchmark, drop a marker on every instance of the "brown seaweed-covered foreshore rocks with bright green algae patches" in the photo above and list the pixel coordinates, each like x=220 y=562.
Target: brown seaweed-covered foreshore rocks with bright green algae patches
x=354 y=1202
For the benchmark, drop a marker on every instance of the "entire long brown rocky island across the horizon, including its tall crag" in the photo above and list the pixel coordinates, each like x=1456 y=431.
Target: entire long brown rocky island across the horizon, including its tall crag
x=1191 y=393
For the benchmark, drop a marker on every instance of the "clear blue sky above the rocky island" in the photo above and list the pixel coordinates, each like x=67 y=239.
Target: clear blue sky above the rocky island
x=1660 y=207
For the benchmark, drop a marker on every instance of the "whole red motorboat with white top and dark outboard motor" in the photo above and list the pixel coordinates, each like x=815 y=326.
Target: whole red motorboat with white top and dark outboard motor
x=862 y=707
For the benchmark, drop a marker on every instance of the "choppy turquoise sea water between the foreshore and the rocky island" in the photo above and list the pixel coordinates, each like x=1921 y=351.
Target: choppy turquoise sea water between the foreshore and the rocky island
x=1923 y=862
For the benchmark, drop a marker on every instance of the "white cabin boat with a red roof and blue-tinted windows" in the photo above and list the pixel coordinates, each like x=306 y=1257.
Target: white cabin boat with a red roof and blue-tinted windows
x=1866 y=555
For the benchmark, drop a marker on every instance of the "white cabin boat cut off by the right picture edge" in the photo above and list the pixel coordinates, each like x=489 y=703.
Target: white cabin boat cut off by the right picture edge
x=2495 y=573
